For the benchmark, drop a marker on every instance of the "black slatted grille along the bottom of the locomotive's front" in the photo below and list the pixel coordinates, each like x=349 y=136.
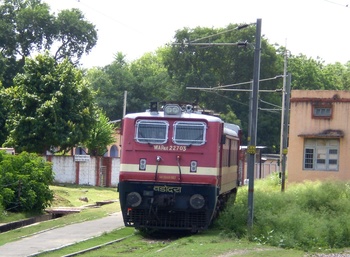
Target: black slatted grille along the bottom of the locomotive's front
x=166 y=219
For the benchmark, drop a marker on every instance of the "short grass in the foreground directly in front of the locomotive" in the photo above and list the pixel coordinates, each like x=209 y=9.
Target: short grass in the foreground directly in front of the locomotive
x=208 y=243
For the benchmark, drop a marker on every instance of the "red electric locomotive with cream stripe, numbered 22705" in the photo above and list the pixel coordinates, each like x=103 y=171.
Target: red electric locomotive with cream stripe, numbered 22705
x=178 y=167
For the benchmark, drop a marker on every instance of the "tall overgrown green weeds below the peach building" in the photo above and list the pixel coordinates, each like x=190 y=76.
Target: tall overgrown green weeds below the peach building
x=309 y=216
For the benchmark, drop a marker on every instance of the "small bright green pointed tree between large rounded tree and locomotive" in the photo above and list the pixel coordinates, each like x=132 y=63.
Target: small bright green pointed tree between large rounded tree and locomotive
x=101 y=135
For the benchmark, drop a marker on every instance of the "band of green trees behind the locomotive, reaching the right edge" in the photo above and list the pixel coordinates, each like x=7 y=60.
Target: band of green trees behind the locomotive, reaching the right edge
x=166 y=74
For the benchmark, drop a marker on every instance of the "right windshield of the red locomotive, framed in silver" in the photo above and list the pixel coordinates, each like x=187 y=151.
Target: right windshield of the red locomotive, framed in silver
x=189 y=133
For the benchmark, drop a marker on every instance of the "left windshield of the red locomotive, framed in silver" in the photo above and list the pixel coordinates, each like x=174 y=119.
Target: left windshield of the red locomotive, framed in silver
x=151 y=132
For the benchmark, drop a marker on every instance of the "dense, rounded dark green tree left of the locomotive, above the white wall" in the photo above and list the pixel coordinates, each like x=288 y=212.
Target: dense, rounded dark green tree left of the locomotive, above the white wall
x=51 y=107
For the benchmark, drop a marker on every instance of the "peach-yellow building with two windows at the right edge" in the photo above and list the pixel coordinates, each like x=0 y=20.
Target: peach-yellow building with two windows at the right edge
x=319 y=139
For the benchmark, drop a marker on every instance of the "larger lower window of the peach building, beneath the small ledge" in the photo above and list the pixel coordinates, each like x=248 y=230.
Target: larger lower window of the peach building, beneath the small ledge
x=321 y=154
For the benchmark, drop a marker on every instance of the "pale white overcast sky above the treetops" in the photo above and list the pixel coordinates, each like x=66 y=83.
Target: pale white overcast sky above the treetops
x=315 y=28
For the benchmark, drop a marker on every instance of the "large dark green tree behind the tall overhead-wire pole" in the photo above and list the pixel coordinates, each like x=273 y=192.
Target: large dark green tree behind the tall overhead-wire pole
x=211 y=66
